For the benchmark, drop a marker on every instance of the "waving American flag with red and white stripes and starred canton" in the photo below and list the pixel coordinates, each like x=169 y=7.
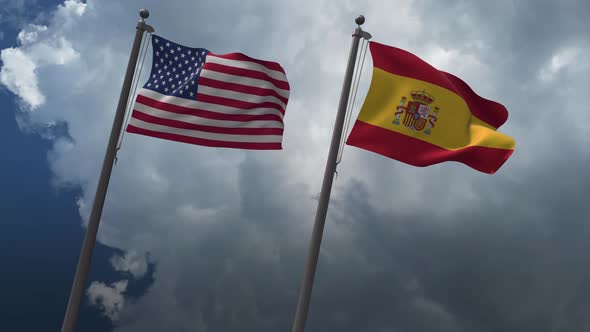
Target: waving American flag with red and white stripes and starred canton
x=219 y=100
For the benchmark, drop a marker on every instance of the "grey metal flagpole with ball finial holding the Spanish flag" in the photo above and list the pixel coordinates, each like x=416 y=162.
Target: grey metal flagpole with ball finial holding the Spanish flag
x=322 y=209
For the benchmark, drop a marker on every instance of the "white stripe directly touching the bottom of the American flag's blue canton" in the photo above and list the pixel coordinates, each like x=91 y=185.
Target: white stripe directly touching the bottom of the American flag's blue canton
x=193 y=104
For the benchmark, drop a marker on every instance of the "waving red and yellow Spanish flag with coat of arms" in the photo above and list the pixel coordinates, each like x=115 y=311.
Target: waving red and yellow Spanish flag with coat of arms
x=422 y=116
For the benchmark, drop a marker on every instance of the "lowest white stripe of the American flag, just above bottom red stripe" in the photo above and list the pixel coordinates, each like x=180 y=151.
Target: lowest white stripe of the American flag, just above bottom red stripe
x=206 y=135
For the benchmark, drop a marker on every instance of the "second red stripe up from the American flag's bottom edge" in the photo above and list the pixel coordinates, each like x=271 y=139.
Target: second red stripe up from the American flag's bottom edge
x=210 y=129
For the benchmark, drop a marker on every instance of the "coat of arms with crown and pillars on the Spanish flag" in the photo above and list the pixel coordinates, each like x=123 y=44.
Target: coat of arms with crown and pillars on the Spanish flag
x=418 y=114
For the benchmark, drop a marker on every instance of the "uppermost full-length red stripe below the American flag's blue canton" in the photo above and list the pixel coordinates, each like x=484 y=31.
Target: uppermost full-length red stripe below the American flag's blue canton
x=204 y=113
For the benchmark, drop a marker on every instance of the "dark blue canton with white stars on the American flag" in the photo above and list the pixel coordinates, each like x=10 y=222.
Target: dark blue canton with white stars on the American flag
x=175 y=68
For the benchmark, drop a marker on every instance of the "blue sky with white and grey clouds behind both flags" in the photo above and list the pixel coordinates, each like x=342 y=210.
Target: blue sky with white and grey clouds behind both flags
x=202 y=239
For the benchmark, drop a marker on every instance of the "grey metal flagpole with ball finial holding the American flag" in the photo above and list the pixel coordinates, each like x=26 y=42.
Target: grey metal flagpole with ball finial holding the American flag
x=83 y=267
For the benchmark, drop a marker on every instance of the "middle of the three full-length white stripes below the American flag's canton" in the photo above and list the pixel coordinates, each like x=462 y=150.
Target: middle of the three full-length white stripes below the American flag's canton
x=204 y=121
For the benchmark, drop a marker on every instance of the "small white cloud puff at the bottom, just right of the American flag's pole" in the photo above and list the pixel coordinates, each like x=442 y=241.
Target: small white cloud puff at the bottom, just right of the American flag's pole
x=109 y=299
